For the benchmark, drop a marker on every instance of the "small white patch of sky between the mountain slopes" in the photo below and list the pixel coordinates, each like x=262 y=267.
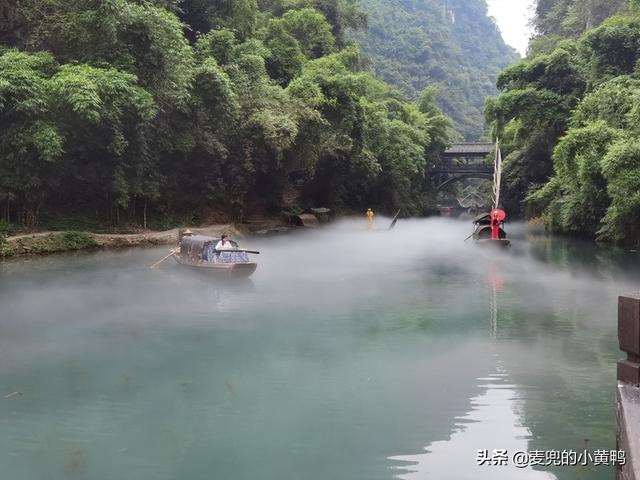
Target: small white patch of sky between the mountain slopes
x=513 y=17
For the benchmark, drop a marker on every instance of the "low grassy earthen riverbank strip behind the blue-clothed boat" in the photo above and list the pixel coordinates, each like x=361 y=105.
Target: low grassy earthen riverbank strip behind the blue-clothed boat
x=54 y=242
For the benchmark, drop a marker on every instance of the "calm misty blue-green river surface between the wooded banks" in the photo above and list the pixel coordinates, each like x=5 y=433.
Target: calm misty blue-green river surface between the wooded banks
x=350 y=354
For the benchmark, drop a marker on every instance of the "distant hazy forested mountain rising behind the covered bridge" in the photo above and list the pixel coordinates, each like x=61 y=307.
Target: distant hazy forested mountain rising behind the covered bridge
x=449 y=43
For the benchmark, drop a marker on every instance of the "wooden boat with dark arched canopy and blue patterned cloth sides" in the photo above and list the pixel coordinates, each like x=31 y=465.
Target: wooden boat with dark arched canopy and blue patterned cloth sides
x=199 y=252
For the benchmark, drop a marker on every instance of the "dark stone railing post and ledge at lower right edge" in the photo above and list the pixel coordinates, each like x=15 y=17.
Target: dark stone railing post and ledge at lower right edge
x=628 y=391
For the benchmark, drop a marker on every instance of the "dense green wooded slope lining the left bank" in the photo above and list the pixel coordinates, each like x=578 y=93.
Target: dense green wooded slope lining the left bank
x=129 y=110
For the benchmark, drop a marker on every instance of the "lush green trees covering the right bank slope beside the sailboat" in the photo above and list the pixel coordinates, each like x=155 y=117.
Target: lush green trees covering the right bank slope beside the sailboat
x=569 y=115
